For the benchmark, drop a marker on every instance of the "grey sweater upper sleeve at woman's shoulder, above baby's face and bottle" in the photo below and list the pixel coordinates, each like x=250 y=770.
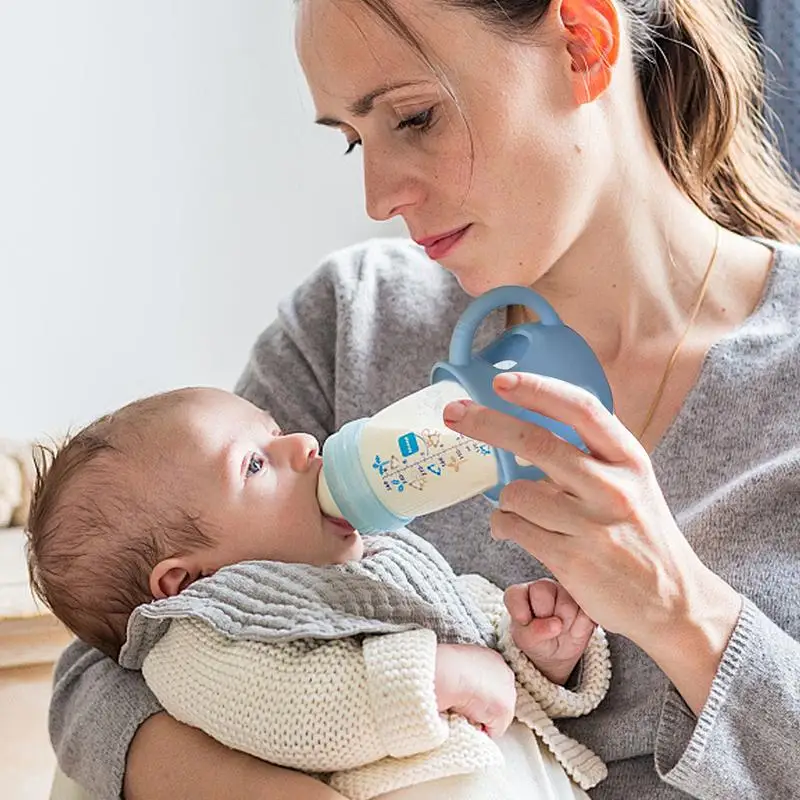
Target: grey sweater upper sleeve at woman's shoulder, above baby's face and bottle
x=315 y=367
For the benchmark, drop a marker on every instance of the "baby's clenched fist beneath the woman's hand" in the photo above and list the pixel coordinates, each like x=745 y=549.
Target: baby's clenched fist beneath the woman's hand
x=548 y=626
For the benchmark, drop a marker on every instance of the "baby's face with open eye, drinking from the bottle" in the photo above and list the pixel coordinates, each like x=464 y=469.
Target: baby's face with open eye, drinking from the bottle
x=252 y=487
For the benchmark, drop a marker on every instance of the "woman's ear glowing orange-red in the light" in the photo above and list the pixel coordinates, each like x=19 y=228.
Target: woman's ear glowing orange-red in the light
x=592 y=31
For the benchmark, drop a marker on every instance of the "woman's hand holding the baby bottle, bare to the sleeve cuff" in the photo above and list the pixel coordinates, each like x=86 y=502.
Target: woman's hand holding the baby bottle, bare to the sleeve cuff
x=601 y=525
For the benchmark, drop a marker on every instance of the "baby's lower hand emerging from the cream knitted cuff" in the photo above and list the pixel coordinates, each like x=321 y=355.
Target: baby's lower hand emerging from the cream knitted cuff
x=475 y=682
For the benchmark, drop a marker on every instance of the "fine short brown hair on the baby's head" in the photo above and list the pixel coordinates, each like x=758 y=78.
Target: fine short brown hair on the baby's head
x=94 y=535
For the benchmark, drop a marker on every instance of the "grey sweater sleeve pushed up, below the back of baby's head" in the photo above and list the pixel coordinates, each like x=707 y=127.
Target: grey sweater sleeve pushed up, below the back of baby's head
x=95 y=711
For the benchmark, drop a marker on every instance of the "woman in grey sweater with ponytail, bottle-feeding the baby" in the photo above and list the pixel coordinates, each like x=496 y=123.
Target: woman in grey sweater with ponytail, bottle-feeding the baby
x=610 y=154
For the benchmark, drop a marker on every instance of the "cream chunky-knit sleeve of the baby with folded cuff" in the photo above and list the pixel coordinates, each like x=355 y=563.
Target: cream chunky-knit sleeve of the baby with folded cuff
x=317 y=706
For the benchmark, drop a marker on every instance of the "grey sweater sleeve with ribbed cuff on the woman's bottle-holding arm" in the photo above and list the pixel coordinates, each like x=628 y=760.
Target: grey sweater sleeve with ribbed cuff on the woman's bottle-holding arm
x=747 y=733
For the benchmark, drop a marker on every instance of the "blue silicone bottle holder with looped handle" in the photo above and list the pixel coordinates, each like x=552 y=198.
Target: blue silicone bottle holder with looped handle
x=547 y=347
